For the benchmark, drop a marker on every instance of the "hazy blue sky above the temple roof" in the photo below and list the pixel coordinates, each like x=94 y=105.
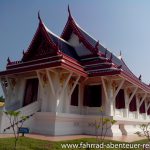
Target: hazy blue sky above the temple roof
x=118 y=25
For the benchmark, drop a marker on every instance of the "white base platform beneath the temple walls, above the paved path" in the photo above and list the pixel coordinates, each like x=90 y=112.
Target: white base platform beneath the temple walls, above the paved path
x=74 y=124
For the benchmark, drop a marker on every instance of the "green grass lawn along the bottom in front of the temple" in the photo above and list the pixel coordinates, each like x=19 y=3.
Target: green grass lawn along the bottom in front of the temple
x=33 y=144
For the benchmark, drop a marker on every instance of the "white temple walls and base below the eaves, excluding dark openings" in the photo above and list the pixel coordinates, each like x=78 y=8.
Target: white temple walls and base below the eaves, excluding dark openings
x=58 y=117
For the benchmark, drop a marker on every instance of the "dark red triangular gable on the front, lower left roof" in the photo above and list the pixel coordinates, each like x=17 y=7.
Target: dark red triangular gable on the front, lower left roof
x=41 y=46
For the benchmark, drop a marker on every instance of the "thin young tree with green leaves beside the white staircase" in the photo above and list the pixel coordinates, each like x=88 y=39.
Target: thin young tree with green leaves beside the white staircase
x=16 y=121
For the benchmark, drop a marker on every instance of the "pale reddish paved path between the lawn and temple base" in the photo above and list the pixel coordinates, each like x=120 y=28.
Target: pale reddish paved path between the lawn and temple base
x=129 y=138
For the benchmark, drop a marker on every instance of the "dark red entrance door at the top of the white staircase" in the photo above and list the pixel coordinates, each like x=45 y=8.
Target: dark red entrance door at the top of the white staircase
x=31 y=91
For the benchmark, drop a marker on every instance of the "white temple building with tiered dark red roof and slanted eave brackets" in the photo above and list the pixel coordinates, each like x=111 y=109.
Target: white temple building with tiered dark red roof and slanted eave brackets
x=61 y=82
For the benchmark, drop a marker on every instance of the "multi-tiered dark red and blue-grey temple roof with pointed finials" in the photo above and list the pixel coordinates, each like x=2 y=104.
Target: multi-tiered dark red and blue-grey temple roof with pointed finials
x=88 y=57
